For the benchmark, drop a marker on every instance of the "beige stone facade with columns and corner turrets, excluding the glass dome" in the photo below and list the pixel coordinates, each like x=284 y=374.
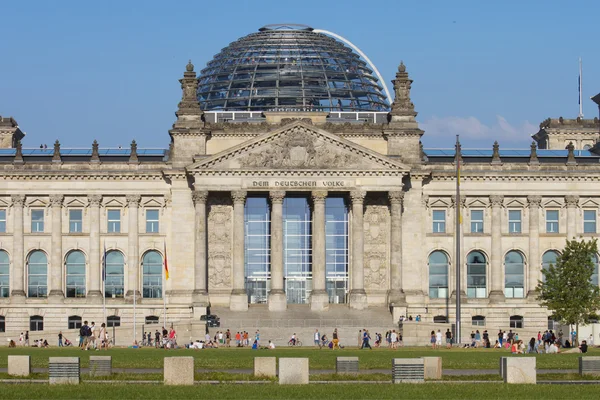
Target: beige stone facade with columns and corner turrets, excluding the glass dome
x=189 y=203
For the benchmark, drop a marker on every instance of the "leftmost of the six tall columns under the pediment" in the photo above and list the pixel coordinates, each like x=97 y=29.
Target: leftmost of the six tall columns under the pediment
x=200 y=272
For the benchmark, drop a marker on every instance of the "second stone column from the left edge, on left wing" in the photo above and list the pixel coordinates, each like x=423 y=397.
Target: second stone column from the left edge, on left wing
x=56 y=293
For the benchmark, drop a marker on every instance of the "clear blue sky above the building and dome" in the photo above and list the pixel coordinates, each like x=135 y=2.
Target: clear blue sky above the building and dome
x=78 y=71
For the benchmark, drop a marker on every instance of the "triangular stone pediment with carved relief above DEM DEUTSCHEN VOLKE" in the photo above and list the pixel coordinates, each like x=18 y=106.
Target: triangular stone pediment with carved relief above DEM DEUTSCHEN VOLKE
x=298 y=146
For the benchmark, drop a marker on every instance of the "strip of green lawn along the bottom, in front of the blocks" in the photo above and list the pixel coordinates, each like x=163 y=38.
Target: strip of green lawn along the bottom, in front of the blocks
x=273 y=391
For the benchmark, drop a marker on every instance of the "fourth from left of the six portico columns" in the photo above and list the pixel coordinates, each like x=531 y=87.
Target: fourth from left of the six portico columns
x=319 y=299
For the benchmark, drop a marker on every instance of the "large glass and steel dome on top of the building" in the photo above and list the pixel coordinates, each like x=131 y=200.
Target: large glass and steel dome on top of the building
x=289 y=67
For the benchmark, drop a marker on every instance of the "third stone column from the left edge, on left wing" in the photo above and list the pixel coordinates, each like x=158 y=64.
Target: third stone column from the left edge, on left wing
x=95 y=274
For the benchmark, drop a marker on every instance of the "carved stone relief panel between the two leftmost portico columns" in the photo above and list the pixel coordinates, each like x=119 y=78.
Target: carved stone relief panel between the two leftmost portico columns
x=220 y=216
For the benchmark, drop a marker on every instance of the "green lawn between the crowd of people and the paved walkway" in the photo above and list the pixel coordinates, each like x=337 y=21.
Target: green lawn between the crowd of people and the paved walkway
x=224 y=359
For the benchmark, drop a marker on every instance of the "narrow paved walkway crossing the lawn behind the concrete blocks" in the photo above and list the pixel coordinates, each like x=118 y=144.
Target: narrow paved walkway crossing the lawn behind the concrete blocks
x=448 y=372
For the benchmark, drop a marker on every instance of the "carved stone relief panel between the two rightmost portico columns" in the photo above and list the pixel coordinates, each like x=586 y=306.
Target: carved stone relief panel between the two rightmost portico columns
x=376 y=241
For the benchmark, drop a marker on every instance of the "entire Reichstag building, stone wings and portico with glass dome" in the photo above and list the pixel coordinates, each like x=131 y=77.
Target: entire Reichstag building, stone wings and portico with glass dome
x=291 y=176
